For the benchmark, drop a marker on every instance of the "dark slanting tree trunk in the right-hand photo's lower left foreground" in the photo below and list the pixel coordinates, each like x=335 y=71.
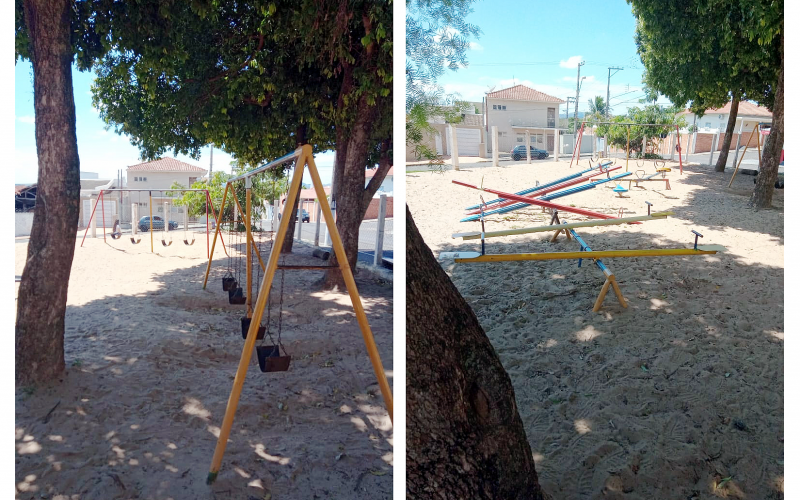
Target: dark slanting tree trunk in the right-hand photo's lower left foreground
x=464 y=435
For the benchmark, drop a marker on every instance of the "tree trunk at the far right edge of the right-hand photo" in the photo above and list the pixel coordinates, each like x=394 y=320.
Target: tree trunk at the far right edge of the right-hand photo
x=771 y=157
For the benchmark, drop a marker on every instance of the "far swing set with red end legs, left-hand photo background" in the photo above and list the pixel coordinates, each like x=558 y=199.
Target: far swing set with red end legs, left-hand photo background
x=164 y=232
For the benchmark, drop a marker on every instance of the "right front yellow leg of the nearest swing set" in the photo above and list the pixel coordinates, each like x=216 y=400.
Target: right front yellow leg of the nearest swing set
x=350 y=282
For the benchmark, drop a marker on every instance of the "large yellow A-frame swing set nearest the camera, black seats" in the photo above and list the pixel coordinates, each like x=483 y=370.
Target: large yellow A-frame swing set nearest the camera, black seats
x=273 y=357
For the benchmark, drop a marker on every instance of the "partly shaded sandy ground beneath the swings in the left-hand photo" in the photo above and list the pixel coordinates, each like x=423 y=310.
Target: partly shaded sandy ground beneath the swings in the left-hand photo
x=151 y=358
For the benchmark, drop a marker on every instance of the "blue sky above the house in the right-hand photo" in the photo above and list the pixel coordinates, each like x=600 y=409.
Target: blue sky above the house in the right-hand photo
x=539 y=44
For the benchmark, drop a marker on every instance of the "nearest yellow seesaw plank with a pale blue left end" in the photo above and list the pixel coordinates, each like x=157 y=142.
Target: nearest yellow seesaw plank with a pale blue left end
x=476 y=257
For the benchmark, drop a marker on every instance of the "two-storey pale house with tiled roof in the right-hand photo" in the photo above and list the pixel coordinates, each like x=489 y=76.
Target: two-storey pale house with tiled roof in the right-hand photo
x=518 y=109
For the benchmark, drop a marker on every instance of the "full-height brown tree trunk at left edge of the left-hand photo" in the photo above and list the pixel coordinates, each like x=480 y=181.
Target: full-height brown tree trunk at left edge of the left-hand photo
x=42 y=302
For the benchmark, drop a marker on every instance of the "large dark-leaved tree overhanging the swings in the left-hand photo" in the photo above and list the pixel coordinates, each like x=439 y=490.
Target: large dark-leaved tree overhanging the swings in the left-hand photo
x=257 y=79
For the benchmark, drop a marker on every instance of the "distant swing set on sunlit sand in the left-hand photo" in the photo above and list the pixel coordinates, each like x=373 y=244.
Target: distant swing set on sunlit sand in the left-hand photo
x=166 y=239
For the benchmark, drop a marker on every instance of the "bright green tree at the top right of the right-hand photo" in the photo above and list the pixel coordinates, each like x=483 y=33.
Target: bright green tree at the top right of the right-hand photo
x=709 y=53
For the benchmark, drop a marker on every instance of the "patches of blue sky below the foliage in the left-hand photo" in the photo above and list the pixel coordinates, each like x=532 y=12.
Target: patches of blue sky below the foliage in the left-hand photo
x=101 y=151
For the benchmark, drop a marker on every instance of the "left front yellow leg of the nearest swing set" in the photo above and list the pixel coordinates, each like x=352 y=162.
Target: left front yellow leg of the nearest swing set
x=255 y=322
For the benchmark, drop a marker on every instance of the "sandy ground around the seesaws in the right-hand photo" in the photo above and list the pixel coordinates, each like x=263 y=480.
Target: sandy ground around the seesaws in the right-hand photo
x=679 y=396
